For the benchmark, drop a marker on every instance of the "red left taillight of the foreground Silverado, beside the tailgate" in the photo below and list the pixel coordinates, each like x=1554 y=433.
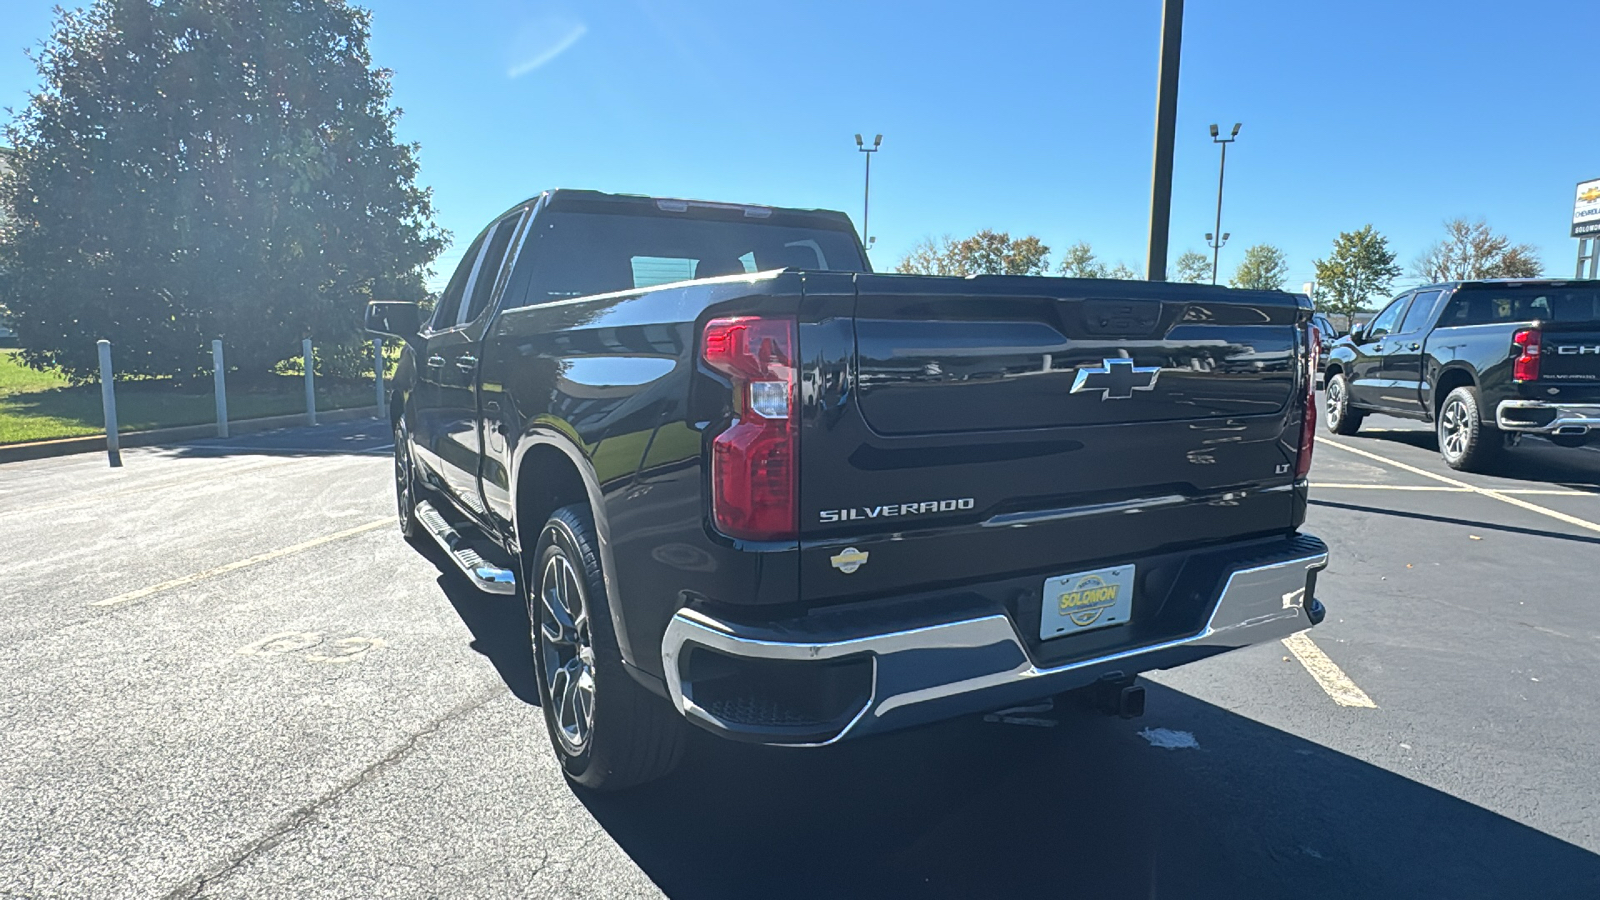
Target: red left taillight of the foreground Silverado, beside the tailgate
x=754 y=481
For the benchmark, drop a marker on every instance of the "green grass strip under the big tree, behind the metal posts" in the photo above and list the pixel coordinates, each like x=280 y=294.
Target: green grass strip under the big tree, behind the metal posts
x=42 y=406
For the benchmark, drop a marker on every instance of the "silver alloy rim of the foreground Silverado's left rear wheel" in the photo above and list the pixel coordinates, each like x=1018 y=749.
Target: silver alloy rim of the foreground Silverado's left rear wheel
x=567 y=653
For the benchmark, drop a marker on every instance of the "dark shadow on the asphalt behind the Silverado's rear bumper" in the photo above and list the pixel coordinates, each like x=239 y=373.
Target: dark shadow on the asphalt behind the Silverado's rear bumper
x=1084 y=810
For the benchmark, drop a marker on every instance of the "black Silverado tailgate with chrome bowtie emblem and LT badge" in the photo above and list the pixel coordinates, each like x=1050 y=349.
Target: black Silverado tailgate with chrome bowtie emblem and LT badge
x=958 y=430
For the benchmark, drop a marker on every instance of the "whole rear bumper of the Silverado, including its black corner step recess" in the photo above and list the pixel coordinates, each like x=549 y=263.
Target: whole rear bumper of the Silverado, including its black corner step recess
x=815 y=688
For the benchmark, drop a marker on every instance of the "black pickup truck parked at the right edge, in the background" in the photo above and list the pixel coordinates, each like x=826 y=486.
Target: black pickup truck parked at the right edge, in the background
x=1487 y=363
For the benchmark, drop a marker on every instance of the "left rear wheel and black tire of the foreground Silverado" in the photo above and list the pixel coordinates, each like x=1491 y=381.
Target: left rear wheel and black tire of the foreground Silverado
x=609 y=731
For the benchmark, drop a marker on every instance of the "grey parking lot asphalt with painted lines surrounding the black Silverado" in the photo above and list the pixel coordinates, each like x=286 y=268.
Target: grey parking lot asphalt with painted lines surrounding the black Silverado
x=225 y=675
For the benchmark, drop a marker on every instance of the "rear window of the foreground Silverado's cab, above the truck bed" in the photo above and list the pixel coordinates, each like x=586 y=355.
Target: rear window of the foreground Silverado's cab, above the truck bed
x=586 y=254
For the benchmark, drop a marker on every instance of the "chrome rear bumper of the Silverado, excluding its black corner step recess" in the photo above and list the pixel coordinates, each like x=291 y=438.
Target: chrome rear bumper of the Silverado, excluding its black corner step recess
x=975 y=664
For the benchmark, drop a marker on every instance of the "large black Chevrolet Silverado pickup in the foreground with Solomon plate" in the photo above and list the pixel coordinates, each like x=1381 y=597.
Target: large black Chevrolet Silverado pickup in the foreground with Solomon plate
x=746 y=484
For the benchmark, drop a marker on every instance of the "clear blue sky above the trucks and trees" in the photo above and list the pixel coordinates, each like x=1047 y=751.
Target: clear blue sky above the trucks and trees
x=1030 y=118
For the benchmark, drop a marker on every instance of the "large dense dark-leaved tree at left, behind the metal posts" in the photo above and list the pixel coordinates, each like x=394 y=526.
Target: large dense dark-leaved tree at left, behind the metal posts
x=201 y=169
